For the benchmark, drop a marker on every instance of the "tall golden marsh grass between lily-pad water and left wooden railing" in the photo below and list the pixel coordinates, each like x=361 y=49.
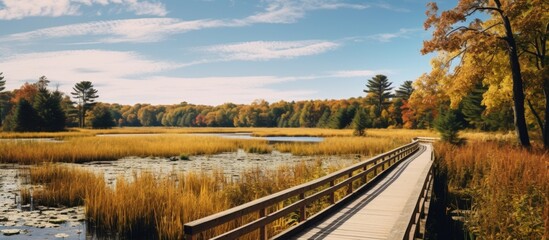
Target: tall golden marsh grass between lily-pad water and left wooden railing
x=158 y=207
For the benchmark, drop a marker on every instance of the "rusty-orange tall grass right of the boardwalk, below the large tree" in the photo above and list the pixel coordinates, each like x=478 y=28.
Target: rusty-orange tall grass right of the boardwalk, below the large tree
x=509 y=187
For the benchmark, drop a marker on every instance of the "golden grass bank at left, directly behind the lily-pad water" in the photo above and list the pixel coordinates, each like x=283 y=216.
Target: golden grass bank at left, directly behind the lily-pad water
x=109 y=148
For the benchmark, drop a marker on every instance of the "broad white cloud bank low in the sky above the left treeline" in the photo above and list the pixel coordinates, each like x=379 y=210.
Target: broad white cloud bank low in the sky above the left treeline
x=129 y=78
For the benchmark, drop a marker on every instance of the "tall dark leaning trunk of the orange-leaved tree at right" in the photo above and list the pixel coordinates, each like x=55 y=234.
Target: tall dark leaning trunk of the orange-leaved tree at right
x=518 y=91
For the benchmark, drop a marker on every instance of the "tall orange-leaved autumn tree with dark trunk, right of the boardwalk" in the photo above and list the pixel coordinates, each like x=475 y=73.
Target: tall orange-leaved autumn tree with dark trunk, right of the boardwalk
x=488 y=37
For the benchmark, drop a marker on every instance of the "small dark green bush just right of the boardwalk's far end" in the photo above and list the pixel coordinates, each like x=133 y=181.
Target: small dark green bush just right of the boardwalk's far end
x=448 y=125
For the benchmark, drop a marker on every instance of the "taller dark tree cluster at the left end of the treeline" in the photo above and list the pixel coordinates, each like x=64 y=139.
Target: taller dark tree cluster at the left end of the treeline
x=36 y=108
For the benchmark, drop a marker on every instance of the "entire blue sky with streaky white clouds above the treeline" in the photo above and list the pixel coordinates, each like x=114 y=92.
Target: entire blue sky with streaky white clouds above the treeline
x=212 y=51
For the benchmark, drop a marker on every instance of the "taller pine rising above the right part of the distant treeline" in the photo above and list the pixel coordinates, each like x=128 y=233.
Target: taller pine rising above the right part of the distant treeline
x=379 y=88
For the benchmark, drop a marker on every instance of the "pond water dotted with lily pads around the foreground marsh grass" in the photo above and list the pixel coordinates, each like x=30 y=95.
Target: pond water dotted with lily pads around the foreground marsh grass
x=41 y=223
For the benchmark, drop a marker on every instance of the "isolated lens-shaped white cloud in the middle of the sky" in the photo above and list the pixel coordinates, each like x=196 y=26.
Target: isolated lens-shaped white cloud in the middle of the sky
x=263 y=50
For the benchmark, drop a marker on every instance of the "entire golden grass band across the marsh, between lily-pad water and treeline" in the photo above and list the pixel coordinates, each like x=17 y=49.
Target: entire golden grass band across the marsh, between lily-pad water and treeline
x=96 y=148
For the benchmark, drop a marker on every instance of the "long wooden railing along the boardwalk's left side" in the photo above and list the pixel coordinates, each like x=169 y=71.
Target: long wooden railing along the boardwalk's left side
x=306 y=193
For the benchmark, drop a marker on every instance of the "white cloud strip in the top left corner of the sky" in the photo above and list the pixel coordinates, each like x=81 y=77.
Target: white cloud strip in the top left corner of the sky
x=18 y=9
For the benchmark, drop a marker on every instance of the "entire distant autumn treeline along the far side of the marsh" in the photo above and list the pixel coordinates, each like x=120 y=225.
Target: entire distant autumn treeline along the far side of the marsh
x=35 y=108
